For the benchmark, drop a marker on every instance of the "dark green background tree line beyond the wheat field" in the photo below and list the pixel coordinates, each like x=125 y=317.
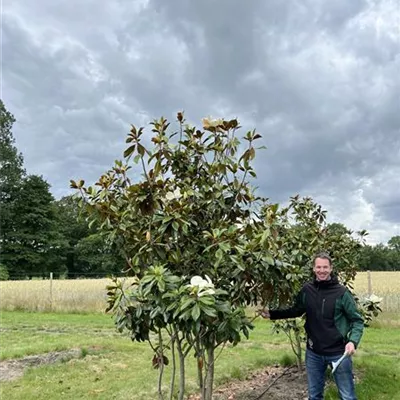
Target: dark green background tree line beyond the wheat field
x=39 y=234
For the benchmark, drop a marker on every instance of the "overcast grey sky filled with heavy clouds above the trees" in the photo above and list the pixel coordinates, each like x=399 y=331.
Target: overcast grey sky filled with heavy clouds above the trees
x=320 y=80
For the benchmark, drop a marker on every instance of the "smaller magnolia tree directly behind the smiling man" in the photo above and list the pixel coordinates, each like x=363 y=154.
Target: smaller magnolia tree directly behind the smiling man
x=302 y=231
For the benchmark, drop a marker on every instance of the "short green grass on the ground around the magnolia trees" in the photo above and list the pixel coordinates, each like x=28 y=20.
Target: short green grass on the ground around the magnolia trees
x=113 y=367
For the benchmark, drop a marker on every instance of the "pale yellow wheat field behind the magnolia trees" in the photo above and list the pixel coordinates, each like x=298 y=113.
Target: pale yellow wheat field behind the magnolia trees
x=89 y=295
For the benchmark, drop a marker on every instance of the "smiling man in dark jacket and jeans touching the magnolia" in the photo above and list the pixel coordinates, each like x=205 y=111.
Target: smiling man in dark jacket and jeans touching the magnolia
x=333 y=326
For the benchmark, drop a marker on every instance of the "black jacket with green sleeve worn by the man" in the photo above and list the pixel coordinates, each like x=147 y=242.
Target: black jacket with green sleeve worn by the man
x=332 y=318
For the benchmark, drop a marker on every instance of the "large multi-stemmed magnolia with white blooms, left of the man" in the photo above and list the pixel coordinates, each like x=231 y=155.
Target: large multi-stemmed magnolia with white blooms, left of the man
x=195 y=239
